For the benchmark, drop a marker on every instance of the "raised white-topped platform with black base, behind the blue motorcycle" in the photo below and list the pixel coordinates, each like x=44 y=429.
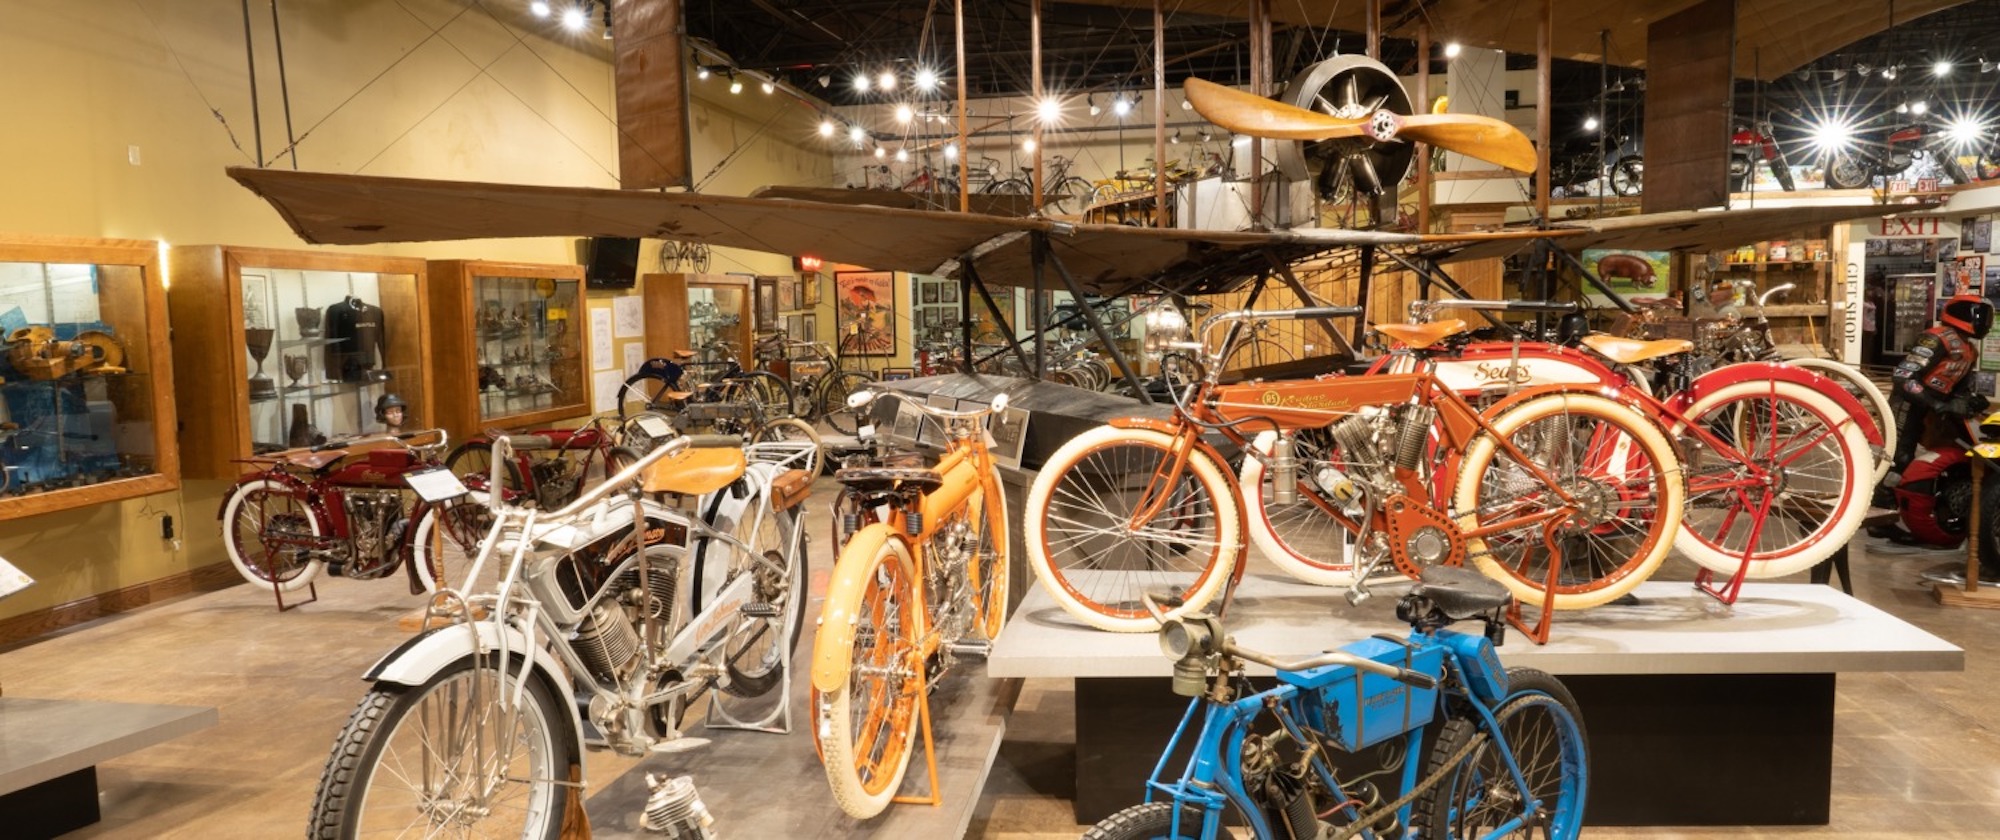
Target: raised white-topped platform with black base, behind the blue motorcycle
x=1685 y=699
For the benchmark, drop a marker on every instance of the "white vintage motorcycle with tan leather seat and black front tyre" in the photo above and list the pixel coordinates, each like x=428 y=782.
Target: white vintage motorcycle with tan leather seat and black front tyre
x=631 y=607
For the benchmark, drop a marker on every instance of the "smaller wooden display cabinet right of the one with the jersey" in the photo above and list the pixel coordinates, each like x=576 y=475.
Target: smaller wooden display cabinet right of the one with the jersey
x=509 y=345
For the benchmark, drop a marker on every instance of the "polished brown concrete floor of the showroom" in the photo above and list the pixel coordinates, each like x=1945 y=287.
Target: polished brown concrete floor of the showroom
x=1917 y=755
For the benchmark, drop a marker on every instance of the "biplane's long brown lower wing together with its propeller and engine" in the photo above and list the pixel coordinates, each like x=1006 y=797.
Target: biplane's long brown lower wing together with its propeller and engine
x=1101 y=261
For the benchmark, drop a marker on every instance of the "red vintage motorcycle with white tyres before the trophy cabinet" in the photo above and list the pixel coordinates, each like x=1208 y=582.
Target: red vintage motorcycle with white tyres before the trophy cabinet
x=345 y=507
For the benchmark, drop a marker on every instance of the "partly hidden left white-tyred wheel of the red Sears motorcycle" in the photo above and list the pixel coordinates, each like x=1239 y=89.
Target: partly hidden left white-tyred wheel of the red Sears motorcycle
x=1301 y=539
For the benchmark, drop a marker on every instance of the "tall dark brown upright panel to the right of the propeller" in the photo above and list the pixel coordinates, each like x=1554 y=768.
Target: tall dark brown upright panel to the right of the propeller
x=1689 y=93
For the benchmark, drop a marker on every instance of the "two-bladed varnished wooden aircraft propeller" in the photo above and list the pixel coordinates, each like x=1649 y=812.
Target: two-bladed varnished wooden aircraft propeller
x=1471 y=135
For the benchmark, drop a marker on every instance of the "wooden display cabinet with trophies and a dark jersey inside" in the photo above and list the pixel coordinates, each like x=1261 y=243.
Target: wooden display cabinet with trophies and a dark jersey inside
x=233 y=303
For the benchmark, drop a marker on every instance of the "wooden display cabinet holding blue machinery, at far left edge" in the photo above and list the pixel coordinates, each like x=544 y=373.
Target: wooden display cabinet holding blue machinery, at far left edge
x=87 y=381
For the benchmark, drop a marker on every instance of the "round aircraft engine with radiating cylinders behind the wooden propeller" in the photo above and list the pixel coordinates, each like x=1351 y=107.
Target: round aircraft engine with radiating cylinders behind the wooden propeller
x=1353 y=89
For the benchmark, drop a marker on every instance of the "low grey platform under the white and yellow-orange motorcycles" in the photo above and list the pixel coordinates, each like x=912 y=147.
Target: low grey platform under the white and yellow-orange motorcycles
x=763 y=785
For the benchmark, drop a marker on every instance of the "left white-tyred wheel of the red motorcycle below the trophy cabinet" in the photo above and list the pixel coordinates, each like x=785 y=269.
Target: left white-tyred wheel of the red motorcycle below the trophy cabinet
x=269 y=531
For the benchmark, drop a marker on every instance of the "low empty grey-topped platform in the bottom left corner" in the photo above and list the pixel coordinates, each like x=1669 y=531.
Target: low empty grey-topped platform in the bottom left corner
x=51 y=755
